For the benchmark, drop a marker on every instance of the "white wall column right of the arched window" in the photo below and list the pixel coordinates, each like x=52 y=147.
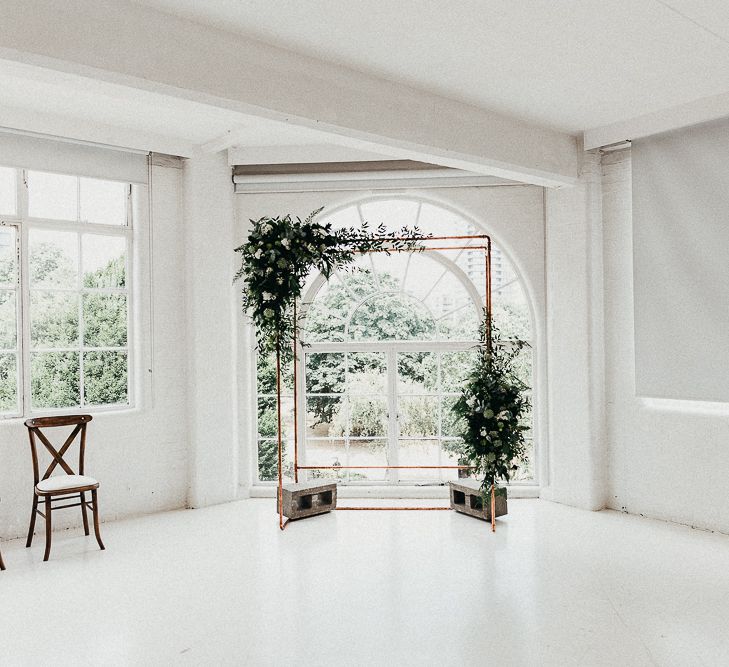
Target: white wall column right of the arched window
x=575 y=341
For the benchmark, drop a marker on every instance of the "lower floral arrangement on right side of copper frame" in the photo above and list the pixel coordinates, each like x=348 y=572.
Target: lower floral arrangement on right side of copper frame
x=492 y=407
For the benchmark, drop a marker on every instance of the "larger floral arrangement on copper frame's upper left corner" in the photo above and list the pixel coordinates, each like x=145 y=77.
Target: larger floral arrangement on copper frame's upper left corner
x=281 y=251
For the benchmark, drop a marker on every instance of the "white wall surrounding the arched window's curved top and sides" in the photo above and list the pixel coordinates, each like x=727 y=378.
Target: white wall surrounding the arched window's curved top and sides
x=513 y=215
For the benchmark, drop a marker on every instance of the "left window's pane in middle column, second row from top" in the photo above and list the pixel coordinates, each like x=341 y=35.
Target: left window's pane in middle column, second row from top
x=53 y=259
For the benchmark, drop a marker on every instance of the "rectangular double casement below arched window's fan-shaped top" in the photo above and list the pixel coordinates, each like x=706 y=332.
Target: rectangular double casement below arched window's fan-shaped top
x=366 y=405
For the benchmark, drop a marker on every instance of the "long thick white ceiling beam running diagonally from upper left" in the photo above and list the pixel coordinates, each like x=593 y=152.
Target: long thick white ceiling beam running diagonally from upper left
x=136 y=46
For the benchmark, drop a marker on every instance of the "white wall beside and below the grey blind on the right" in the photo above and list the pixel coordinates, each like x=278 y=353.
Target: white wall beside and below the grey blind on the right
x=667 y=459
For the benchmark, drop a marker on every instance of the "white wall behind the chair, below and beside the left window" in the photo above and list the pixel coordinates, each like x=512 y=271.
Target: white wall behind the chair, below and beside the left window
x=138 y=455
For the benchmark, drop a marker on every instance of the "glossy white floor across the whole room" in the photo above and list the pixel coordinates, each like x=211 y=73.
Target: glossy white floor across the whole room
x=223 y=586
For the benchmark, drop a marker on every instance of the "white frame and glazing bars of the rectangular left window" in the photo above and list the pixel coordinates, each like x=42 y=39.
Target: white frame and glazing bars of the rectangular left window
x=23 y=223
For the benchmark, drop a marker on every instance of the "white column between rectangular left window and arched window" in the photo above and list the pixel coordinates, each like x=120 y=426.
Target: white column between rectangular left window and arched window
x=211 y=320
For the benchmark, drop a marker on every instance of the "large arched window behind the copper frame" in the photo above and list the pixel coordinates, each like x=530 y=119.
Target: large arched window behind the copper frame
x=386 y=345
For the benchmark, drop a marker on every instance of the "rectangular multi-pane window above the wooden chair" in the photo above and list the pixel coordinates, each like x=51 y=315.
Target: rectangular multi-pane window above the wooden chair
x=65 y=256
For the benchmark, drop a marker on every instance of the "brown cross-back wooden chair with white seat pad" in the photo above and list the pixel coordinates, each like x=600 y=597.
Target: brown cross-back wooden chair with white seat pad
x=60 y=488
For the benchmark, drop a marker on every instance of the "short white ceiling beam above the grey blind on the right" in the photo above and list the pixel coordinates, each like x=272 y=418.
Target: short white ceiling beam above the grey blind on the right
x=698 y=111
